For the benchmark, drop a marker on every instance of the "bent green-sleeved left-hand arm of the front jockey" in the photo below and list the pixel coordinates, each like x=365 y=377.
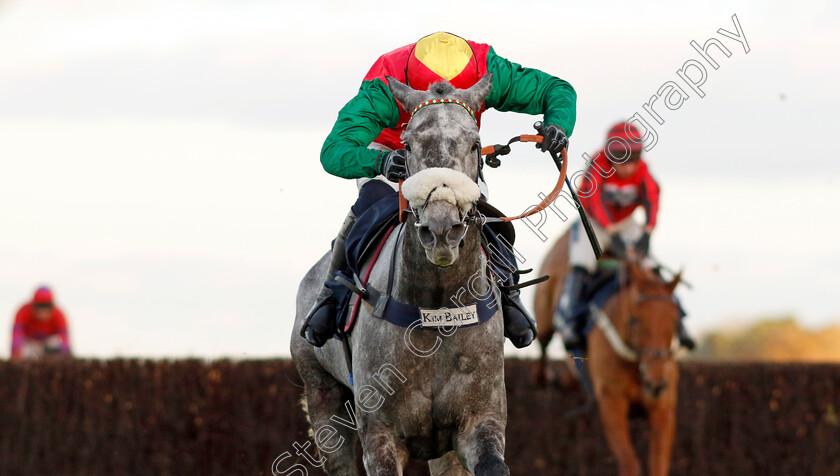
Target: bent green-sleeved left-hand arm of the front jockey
x=360 y=121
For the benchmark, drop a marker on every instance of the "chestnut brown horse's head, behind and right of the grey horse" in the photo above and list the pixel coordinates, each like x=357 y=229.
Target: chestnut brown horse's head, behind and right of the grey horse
x=653 y=315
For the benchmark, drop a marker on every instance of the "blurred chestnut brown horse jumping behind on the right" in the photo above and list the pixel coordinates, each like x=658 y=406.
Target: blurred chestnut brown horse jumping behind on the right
x=630 y=356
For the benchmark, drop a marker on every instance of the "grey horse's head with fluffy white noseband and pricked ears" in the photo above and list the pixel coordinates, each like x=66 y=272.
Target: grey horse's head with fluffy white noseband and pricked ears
x=443 y=159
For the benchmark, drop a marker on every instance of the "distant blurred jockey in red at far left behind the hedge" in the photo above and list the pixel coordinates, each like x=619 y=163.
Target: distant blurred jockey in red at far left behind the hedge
x=40 y=328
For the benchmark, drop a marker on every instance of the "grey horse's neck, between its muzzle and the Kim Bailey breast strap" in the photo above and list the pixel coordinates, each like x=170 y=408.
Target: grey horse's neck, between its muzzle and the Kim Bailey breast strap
x=423 y=284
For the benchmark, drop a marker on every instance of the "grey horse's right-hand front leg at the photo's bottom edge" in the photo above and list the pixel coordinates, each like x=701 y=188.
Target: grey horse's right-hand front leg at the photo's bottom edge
x=483 y=448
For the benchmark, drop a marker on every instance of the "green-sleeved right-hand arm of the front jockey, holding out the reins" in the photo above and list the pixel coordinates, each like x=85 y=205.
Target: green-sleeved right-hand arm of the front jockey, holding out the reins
x=531 y=91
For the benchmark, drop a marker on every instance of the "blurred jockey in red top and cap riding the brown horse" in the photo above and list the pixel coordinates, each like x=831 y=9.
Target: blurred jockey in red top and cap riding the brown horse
x=620 y=183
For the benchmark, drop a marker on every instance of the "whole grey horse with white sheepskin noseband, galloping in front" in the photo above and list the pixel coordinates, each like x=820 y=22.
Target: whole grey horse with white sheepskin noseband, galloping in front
x=432 y=394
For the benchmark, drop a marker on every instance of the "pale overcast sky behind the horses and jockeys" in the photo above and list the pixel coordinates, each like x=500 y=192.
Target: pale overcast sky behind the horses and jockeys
x=160 y=159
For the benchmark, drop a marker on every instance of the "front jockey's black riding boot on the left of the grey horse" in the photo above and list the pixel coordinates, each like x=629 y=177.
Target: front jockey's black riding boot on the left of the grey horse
x=320 y=324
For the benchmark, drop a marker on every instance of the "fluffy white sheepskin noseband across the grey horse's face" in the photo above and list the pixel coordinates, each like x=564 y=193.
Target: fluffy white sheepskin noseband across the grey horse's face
x=439 y=183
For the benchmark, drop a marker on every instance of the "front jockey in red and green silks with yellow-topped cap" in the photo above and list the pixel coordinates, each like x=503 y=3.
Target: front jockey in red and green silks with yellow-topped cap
x=365 y=142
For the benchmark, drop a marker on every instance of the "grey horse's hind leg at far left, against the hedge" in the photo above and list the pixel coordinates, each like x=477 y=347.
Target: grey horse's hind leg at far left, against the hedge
x=325 y=398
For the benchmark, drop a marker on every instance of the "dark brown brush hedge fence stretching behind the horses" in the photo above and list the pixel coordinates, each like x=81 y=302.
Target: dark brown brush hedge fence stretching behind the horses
x=189 y=417
